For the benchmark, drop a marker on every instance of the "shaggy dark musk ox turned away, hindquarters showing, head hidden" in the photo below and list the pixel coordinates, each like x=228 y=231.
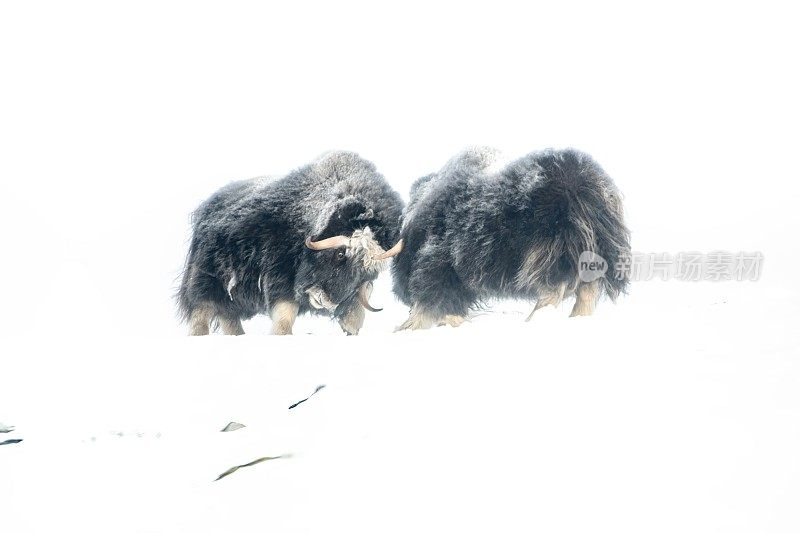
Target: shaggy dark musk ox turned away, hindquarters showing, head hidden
x=477 y=230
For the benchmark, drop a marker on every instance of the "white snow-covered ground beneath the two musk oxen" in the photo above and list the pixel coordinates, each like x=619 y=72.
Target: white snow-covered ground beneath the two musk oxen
x=662 y=413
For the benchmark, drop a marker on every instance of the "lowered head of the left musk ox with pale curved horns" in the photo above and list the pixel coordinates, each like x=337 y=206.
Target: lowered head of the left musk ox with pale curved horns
x=341 y=269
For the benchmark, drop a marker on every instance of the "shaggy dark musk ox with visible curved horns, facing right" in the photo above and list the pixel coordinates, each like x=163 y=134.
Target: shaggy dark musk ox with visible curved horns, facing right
x=312 y=241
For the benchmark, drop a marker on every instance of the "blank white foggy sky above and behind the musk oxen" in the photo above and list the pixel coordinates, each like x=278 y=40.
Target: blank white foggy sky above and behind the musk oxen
x=116 y=121
